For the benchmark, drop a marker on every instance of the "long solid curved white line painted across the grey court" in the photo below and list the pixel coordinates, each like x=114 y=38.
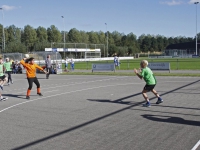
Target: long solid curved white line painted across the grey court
x=63 y=94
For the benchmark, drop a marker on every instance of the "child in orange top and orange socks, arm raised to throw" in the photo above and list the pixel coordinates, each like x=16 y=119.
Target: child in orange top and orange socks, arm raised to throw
x=31 y=67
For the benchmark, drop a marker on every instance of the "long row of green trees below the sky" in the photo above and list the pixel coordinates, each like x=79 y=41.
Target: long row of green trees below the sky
x=30 y=39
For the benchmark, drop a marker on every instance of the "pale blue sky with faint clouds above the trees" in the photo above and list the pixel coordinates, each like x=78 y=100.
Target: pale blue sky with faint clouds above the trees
x=170 y=18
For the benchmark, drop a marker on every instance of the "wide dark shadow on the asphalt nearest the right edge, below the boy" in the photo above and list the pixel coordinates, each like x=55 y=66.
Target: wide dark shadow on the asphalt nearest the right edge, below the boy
x=169 y=119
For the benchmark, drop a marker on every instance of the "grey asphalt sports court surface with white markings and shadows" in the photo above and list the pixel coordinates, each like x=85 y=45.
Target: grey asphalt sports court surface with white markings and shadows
x=100 y=113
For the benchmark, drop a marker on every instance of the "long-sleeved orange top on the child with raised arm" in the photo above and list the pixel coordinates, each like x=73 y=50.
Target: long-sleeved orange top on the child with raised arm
x=30 y=69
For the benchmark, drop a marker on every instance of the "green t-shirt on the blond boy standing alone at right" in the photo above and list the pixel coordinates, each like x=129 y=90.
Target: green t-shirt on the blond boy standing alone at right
x=148 y=76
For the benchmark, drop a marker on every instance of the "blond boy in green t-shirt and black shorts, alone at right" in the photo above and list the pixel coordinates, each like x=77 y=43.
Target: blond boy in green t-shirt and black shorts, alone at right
x=147 y=75
